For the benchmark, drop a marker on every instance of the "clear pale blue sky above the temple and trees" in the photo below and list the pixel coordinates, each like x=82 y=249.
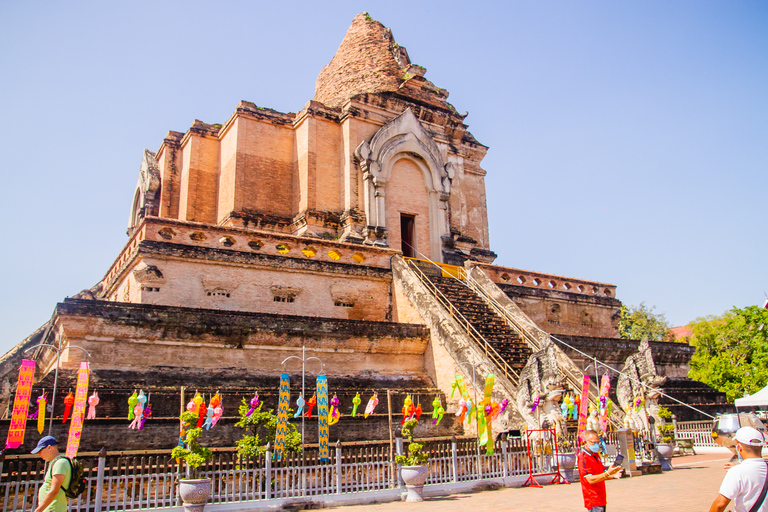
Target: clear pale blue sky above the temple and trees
x=628 y=140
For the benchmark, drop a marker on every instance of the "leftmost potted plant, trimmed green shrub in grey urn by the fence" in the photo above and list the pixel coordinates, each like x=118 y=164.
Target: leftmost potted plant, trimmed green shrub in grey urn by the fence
x=194 y=491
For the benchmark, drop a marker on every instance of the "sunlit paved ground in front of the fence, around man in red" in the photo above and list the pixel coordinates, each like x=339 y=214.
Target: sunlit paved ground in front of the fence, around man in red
x=691 y=486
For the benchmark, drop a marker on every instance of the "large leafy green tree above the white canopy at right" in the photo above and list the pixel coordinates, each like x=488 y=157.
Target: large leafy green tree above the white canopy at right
x=731 y=351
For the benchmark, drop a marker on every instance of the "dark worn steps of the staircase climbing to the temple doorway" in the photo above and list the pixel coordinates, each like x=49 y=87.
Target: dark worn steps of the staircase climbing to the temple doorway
x=505 y=341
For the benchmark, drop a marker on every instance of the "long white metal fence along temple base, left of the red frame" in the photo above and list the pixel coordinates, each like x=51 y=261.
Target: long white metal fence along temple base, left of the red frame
x=132 y=483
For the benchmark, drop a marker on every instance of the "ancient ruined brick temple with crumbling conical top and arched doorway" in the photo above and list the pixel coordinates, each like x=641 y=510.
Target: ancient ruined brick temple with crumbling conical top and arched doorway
x=343 y=228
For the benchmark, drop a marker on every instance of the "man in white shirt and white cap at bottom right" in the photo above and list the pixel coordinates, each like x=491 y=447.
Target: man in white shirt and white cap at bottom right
x=744 y=482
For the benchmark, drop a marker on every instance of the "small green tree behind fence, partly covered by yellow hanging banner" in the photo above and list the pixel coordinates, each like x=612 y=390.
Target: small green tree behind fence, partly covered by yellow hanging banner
x=263 y=423
